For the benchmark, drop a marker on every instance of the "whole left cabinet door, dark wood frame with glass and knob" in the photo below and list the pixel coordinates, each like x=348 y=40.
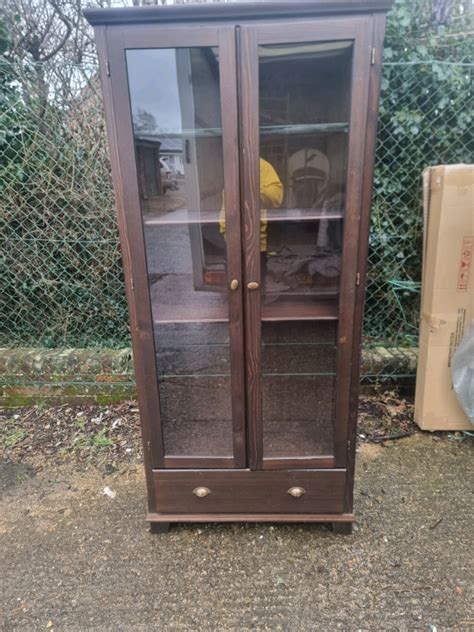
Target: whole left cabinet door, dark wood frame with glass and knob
x=182 y=103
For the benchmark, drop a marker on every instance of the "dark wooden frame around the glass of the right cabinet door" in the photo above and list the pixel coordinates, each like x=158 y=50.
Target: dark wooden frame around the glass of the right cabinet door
x=358 y=29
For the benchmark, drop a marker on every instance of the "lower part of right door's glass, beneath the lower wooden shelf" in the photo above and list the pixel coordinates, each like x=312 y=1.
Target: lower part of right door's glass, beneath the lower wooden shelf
x=298 y=380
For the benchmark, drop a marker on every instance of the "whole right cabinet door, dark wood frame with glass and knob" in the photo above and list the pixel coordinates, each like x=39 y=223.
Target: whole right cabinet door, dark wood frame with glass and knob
x=304 y=98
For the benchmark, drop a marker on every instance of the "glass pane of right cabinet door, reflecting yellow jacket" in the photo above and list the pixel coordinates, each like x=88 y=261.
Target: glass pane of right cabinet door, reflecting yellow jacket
x=304 y=106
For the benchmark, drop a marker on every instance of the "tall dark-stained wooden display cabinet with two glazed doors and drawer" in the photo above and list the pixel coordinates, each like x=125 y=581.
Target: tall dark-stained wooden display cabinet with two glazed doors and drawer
x=242 y=142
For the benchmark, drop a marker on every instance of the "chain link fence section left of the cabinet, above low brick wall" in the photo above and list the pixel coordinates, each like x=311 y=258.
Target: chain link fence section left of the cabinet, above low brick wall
x=63 y=274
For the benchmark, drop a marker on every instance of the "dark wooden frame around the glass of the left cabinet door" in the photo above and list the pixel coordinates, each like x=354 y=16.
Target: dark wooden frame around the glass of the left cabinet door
x=112 y=43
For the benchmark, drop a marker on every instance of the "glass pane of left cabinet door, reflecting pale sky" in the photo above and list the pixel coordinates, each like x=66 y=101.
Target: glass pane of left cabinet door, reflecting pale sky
x=177 y=126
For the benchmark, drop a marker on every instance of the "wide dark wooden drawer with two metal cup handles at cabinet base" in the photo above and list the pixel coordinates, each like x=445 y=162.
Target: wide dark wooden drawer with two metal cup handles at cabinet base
x=245 y=491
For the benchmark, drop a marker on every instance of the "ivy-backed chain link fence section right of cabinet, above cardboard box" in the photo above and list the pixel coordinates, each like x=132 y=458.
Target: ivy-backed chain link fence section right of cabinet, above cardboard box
x=426 y=118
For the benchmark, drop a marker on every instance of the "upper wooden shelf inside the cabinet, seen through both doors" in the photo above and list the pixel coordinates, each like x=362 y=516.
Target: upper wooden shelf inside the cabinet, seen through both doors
x=185 y=216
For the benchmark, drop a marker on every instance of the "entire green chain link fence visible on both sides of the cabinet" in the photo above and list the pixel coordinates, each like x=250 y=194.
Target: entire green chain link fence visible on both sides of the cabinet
x=63 y=282
